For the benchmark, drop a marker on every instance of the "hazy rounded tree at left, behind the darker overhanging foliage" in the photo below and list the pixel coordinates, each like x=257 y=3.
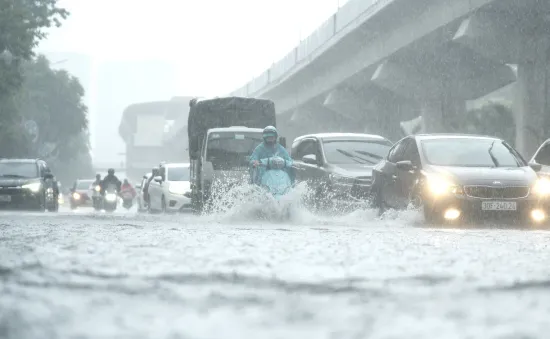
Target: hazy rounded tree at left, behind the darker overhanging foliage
x=53 y=99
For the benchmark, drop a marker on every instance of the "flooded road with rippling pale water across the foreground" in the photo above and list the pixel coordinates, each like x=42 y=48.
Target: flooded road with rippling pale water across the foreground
x=86 y=275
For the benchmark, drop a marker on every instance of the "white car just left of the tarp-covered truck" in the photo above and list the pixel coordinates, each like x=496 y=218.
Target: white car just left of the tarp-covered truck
x=171 y=190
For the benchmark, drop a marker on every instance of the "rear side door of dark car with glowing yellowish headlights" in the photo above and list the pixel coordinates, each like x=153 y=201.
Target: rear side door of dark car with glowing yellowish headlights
x=388 y=186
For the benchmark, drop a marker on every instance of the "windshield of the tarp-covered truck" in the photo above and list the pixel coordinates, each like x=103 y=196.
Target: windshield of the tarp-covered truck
x=230 y=150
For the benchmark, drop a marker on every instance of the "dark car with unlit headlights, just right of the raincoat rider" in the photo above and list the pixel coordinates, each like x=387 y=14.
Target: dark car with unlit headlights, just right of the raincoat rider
x=338 y=166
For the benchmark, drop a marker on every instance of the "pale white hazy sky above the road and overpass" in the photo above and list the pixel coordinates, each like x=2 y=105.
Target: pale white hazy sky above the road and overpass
x=218 y=45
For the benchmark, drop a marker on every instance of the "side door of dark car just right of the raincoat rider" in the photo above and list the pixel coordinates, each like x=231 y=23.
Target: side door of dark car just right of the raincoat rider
x=310 y=173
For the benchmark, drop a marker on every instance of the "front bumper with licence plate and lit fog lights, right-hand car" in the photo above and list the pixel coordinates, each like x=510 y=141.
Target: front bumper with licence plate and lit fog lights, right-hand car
x=462 y=207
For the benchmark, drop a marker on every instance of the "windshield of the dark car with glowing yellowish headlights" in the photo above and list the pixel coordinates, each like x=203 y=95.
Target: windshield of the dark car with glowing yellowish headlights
x=472 y=152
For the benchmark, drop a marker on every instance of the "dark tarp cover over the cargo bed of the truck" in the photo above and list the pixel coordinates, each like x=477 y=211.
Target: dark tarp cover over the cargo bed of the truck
x=227 y=112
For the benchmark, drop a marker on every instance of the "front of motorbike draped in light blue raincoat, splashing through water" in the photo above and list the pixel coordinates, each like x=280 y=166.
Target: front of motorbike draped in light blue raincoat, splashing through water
x=276 y=182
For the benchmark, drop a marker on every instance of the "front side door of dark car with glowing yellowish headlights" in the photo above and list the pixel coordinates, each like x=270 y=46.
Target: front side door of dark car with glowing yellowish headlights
x=406 y=179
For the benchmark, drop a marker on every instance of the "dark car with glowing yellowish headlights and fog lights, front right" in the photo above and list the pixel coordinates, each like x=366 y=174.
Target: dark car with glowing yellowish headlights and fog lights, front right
x=456 y=177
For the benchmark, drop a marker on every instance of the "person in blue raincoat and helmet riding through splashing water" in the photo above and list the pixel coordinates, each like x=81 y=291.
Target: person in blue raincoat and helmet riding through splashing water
x=269 y=148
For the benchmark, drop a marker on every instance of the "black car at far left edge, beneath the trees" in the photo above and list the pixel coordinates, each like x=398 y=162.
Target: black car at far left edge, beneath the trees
x=27 y=184
